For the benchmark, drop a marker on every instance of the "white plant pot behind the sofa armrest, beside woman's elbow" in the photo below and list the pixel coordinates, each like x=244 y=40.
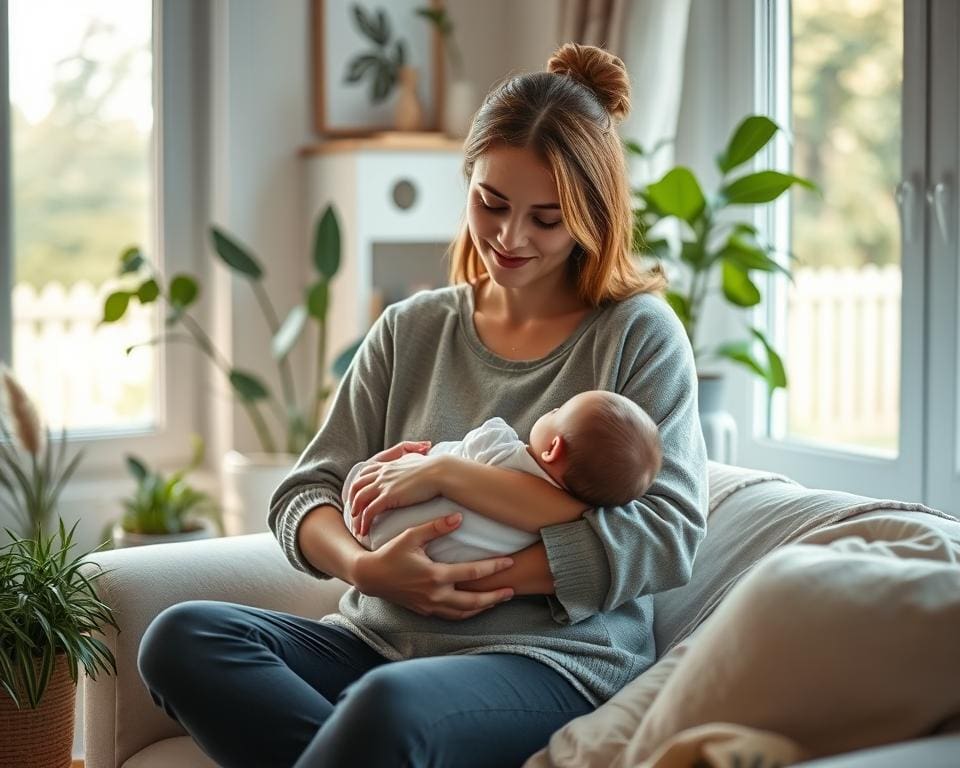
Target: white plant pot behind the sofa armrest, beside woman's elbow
x=249 y=480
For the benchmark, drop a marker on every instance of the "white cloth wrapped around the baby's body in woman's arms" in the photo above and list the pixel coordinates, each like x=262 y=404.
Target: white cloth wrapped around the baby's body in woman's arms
x=495 y=443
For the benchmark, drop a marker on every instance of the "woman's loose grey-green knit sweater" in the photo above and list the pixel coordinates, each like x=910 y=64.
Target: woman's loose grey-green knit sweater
x=424 y=374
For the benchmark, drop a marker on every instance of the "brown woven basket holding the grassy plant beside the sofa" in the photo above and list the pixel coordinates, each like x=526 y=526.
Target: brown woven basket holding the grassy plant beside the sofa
x=41 y=737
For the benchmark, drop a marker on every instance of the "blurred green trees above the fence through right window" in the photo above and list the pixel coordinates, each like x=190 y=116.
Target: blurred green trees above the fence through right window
x=847 y=76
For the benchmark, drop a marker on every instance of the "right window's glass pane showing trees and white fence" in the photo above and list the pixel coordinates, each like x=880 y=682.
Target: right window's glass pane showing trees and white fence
x=843 y=345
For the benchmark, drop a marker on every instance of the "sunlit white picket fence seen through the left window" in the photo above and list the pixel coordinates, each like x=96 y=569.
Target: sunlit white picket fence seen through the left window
x=78 y=373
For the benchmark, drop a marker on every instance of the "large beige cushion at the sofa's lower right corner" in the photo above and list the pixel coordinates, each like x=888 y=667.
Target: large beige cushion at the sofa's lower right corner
x=816 y=637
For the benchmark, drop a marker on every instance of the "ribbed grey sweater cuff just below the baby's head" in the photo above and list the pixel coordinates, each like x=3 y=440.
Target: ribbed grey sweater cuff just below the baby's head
x=578 y=562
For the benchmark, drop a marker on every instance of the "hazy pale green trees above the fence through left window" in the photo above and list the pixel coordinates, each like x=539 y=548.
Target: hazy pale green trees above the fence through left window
x=81 y=183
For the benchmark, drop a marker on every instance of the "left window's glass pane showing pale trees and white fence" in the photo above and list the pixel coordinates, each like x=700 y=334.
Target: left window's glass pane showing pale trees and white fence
x=82 y=116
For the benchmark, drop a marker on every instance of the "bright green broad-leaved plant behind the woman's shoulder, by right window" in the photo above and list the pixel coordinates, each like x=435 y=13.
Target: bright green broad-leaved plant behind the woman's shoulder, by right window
x=711 y=238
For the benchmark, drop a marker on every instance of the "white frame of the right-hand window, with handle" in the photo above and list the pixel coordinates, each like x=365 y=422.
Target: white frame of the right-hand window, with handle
x=754 y=27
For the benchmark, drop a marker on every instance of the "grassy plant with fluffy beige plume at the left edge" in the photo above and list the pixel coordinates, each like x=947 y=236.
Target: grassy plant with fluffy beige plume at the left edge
x=32 y=471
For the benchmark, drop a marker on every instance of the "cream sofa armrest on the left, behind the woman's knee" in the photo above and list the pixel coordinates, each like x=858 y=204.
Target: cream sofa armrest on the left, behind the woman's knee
x=120 y=718
